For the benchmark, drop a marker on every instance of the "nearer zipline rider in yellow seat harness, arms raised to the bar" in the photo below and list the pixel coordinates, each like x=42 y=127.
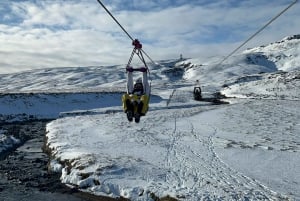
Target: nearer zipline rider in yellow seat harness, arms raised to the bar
x=136 y=100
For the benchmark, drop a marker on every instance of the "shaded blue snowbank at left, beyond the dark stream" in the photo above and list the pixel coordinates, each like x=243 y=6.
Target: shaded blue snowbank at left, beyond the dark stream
x=20 y=106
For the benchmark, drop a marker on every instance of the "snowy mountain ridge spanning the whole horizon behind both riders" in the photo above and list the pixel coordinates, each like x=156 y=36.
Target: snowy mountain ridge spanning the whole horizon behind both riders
x=283 y=55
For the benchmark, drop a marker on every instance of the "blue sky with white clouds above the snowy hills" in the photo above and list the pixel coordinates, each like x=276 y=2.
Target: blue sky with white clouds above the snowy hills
x=58 y=33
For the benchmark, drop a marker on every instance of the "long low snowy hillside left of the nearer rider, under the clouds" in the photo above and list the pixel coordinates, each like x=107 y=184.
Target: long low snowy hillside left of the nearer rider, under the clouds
x=80 y=79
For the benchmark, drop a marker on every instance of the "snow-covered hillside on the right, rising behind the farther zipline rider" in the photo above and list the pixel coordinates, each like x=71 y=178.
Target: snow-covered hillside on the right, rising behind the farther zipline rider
x=269 y=71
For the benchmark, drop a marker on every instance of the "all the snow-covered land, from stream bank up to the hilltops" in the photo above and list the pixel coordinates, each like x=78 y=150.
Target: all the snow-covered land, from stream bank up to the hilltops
x=186 y=149
